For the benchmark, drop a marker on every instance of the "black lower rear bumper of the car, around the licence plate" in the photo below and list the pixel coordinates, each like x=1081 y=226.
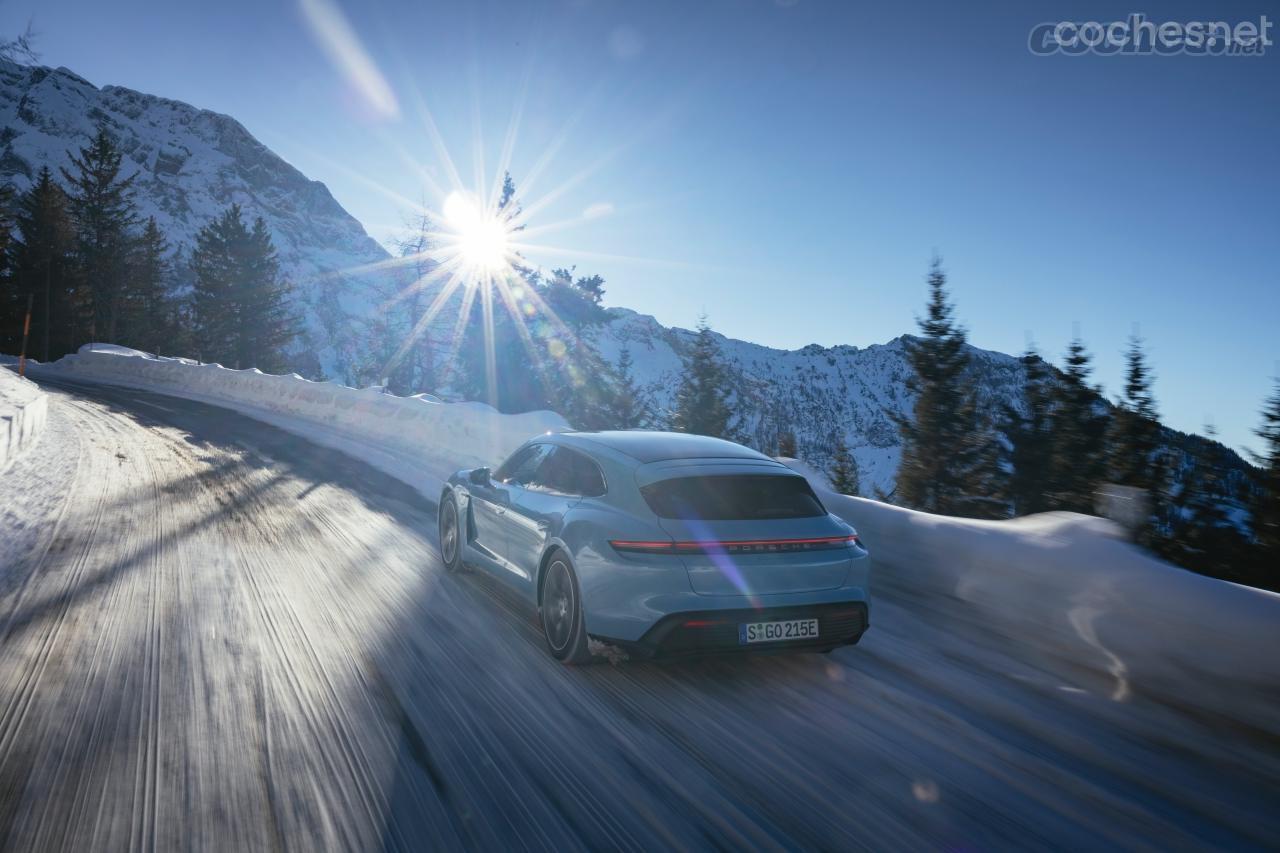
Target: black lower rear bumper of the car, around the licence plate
x=716 y=632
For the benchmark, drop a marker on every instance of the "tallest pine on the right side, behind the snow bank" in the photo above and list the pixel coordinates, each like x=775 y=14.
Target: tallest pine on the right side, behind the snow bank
x=950 y=453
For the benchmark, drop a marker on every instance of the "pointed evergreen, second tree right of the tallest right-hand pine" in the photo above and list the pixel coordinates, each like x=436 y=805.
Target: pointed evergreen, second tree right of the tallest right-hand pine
x=1080 y=427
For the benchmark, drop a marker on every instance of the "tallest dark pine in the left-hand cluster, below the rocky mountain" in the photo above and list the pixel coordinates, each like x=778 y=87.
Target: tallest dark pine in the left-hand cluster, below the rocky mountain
x=103 y=212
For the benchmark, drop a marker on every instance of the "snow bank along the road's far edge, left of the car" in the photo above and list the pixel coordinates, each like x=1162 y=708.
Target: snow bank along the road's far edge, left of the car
x=417 y=440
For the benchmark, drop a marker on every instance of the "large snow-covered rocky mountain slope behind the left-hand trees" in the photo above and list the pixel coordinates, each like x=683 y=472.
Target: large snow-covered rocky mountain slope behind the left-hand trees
x=190 y=166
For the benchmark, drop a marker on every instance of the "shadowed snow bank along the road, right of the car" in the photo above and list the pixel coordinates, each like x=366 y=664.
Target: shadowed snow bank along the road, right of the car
x=1073 y=590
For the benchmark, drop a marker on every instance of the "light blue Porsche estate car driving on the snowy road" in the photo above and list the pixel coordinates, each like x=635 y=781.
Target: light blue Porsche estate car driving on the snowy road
x=660 y=544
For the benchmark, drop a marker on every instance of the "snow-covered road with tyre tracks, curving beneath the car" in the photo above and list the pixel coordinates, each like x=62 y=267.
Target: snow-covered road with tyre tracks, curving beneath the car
x=216 y=636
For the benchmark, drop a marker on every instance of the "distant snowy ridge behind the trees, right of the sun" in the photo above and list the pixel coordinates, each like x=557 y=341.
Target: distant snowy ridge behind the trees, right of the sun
x=817 y=393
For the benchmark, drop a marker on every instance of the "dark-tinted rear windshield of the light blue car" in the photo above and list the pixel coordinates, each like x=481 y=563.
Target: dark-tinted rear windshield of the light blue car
x=737 y=498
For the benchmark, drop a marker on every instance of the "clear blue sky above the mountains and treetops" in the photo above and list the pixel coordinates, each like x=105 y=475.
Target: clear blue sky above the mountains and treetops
x=790 y=167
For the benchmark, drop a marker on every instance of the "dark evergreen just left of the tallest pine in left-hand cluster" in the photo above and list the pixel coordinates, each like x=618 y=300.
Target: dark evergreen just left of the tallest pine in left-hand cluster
x=43 y=266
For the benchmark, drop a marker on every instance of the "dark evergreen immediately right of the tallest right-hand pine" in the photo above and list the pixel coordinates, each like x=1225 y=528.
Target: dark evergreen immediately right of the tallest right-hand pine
x=1028 y=436
